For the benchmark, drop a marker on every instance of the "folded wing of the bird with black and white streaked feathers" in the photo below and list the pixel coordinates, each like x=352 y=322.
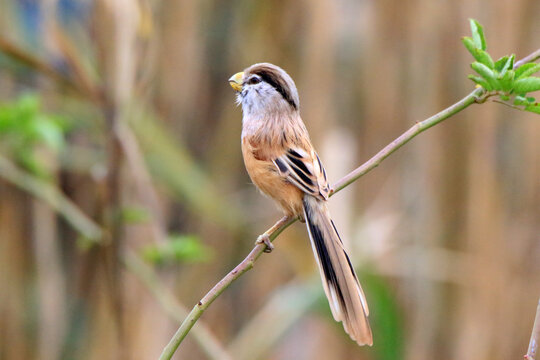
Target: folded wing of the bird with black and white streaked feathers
x=304 y=169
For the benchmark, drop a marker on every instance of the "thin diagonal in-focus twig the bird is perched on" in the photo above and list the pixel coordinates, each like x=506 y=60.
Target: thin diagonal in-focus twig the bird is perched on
x=248 y=262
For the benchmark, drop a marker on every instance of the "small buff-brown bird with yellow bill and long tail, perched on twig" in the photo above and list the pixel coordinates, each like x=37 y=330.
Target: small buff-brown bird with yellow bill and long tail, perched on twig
x=283 y=165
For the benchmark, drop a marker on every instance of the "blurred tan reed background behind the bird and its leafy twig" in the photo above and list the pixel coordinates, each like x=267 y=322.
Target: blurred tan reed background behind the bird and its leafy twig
x=124 y=199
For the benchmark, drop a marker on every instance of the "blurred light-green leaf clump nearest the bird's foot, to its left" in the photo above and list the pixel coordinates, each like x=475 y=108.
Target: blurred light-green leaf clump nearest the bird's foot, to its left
x=179 y=248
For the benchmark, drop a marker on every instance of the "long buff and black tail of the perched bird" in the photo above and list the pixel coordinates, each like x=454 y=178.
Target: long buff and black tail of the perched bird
x=344 y=293
